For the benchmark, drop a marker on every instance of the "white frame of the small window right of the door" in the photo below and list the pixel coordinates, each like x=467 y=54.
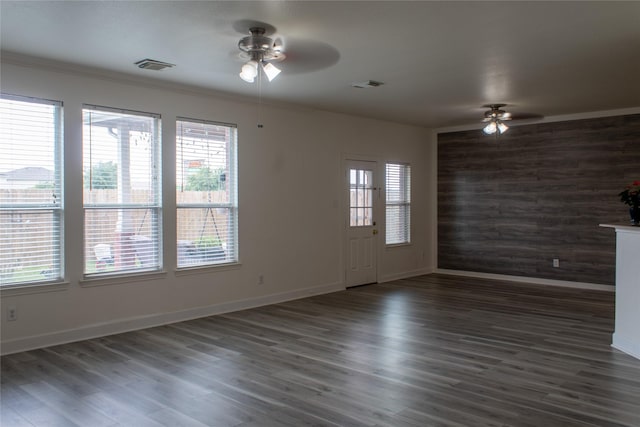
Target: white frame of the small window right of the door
x=403 y=202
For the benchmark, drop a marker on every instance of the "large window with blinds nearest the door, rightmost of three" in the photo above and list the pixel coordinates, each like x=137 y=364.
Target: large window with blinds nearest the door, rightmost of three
x=206 y=193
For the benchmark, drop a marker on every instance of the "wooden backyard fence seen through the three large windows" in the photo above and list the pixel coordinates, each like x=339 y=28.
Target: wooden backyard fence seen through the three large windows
x=22 y=232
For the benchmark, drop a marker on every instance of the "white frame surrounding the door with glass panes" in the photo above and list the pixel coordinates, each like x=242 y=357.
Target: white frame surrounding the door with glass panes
x=378 y=211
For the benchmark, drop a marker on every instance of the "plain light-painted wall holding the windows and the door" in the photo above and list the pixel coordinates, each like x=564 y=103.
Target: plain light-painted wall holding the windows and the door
x=291 y=211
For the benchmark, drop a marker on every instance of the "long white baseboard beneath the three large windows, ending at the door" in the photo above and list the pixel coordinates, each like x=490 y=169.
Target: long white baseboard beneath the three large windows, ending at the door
x=148 y=321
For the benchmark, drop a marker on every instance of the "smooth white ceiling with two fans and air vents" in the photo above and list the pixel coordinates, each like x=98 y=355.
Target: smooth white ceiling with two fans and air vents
x=440 y=61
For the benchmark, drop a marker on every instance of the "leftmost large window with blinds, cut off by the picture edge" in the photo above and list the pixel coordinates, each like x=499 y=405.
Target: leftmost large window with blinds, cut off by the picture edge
x=31 y=203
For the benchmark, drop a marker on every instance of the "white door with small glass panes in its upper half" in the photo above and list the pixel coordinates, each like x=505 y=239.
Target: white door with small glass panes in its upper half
x=362 y=233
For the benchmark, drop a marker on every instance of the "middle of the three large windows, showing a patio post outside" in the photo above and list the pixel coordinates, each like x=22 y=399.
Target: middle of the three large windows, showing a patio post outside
x=122 y=191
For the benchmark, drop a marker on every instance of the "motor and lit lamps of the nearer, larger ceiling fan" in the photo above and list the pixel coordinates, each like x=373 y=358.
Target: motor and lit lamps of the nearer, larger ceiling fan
x=261 y=51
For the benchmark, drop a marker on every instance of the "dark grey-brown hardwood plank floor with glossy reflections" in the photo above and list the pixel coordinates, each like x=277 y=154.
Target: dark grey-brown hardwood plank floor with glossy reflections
x=429 y=351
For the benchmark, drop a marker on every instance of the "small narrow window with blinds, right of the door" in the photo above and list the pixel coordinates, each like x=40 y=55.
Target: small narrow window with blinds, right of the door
x=398 y=203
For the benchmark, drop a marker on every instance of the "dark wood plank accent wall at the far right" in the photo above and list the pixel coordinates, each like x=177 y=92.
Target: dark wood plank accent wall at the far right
x=512 y=204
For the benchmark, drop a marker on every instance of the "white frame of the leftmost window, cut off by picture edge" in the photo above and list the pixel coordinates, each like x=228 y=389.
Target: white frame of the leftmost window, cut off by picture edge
x=57 y=205
